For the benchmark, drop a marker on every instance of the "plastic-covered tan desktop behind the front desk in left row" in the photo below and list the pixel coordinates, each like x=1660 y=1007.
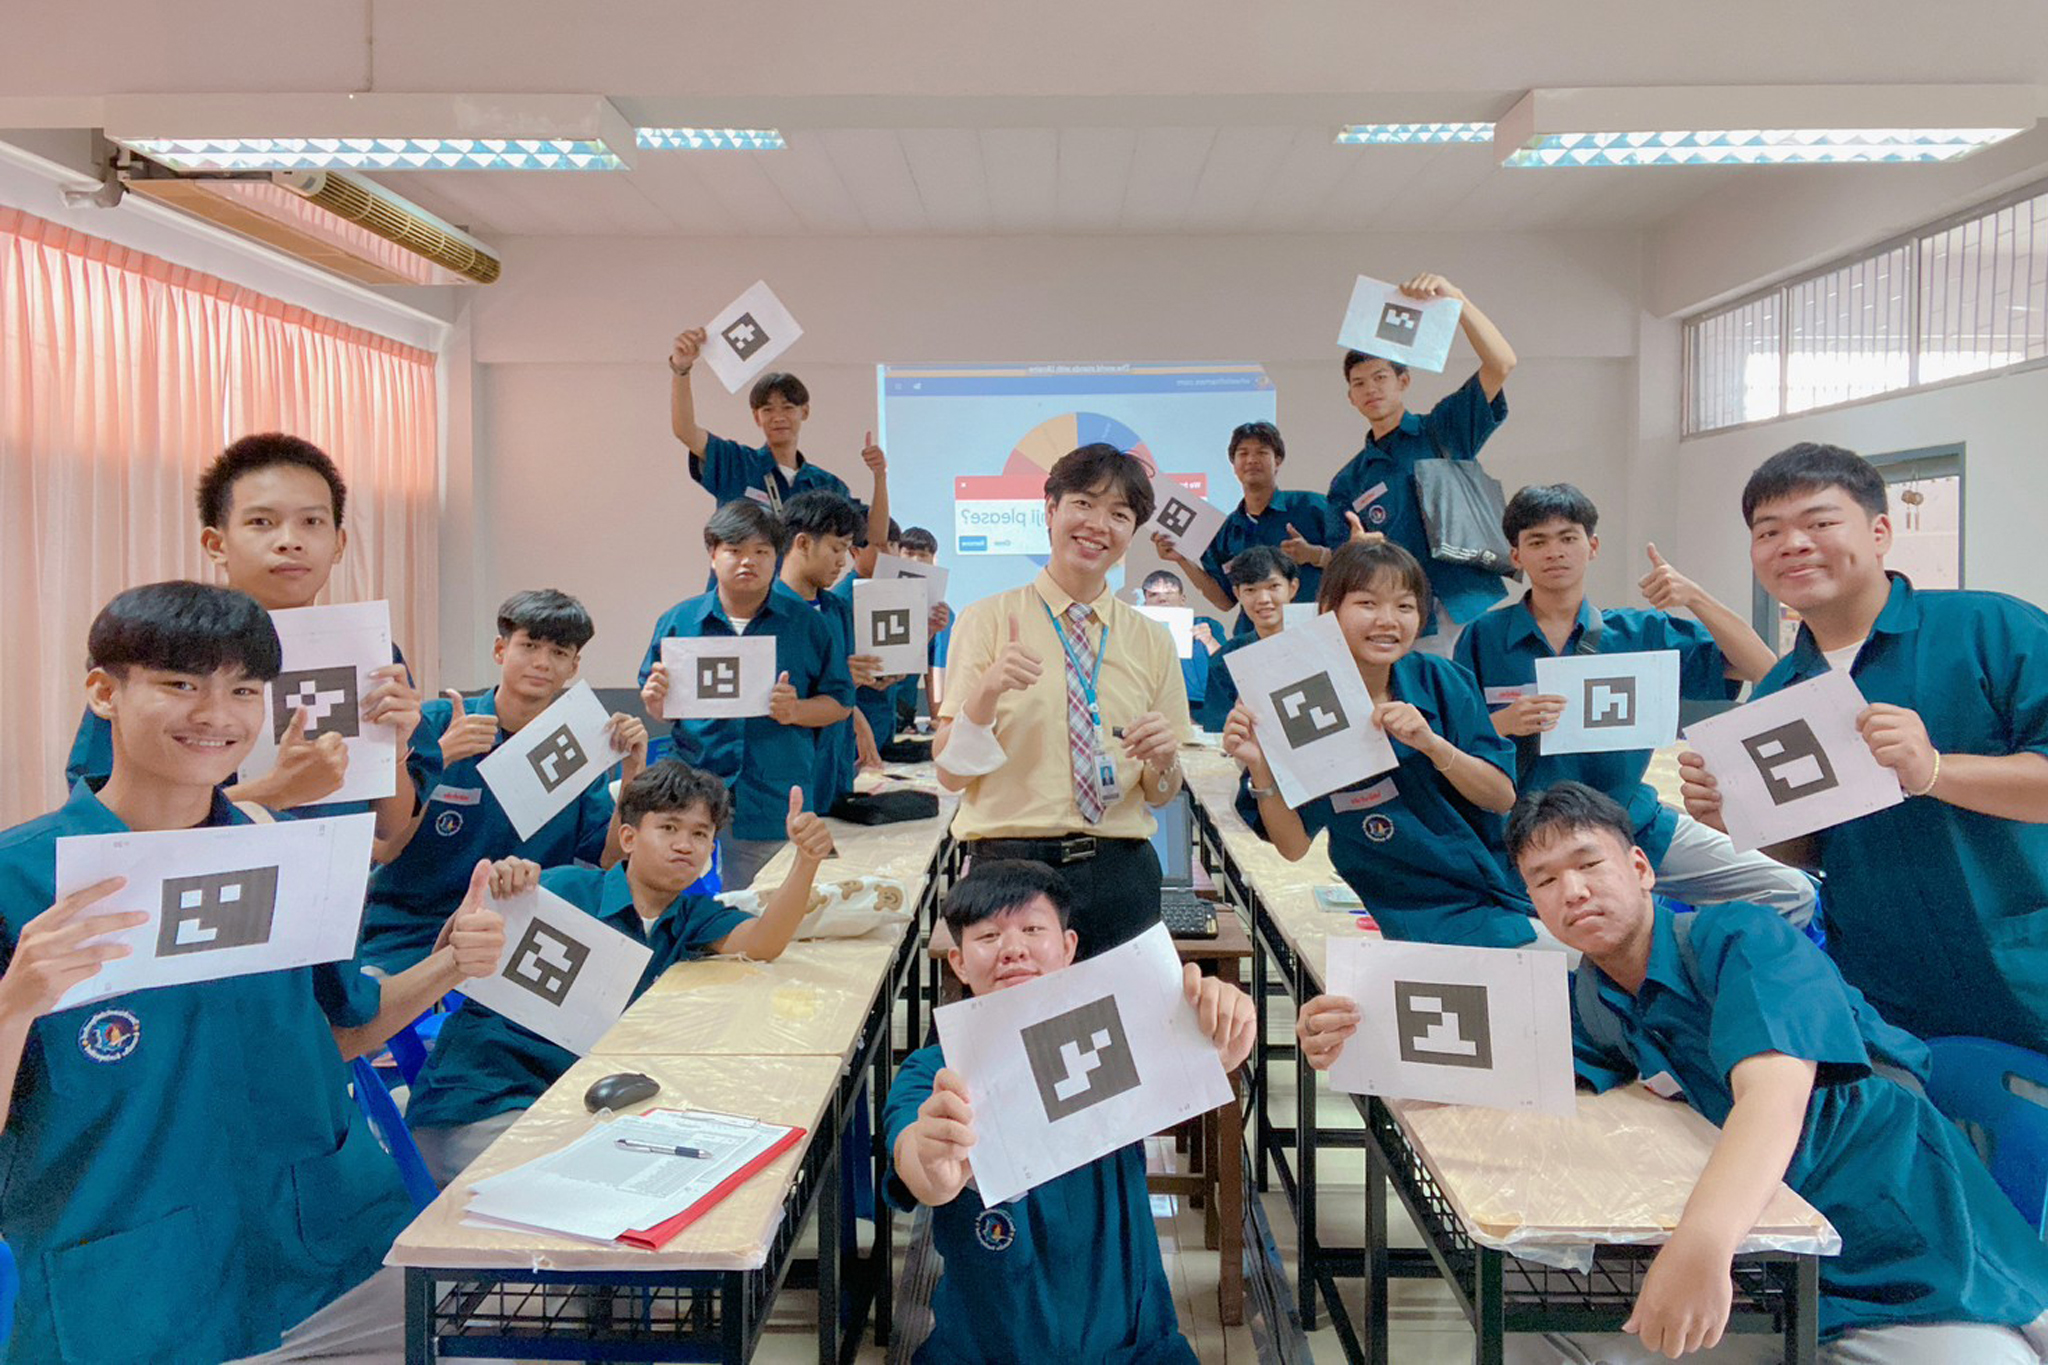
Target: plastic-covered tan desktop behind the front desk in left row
x=808 y=1002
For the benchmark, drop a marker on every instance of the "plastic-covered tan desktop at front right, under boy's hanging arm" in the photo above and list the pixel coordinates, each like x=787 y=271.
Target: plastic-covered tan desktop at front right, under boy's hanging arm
x=1549 y=1190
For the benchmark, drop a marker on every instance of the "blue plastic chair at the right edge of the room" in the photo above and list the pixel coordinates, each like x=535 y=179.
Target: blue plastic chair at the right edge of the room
x=1998 y=1094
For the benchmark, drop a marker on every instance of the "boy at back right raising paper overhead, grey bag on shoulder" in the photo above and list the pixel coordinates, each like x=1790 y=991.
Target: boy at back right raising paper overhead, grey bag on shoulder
x=1377 y=488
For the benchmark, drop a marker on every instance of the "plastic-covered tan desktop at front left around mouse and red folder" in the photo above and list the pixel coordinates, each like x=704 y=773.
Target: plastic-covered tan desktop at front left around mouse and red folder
x=730 y=1237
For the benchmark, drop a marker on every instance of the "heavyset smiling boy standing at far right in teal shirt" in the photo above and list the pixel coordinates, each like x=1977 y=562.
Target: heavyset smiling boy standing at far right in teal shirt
x=1934 y=908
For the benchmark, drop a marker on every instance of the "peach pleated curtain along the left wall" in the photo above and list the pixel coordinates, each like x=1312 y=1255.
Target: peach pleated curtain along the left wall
x=120 y=378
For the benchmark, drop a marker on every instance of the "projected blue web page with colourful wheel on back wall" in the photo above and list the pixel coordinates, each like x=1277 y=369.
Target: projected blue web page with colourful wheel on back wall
x=970 y=447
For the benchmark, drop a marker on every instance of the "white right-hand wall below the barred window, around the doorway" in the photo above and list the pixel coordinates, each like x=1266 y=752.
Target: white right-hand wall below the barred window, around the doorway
x=1996 y=421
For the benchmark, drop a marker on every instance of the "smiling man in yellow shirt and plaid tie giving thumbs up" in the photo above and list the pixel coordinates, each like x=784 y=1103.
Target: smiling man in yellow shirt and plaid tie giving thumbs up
x=1066 y=709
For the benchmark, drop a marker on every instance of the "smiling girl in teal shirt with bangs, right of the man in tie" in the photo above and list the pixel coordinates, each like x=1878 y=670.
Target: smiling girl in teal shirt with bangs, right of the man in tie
x=1420 y=846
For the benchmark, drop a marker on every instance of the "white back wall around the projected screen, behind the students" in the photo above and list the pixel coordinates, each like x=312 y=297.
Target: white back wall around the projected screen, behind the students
x=572 y=392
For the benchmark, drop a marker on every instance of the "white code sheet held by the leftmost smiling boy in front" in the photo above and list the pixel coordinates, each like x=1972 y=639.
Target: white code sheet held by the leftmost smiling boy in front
x=224 y=901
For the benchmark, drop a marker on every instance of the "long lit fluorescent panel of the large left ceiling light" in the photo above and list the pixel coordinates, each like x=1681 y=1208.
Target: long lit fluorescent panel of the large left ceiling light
x=224 y=155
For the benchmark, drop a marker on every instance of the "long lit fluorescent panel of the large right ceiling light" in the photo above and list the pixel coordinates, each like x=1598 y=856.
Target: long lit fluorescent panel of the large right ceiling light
x=1754 y=146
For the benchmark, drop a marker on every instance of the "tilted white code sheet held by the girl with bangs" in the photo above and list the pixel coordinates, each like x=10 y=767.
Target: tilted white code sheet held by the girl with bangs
x=1310 y=711
